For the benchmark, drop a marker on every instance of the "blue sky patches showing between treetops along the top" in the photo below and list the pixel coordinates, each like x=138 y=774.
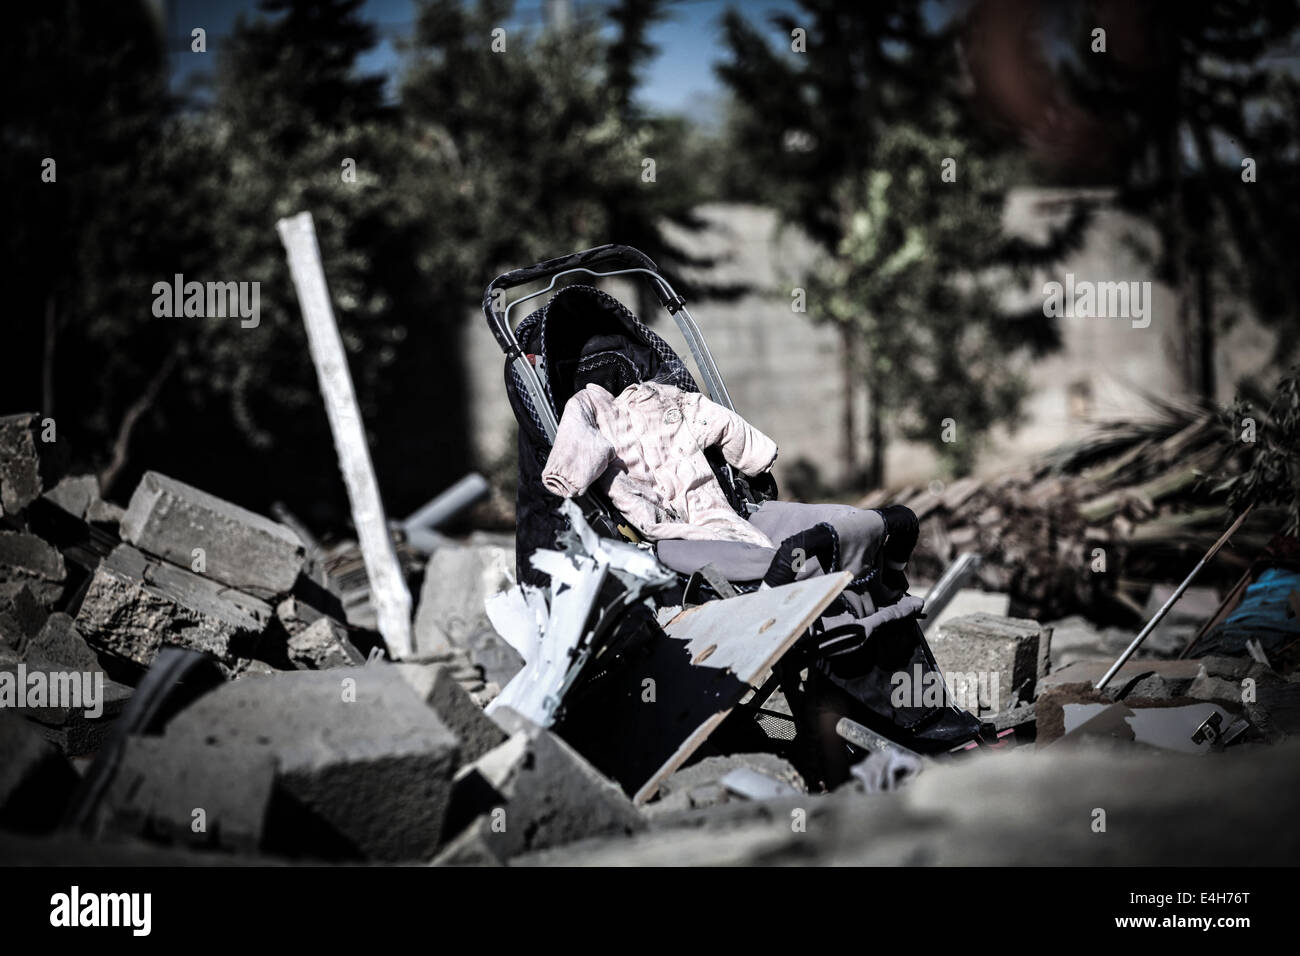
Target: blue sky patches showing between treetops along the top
x=681 y=80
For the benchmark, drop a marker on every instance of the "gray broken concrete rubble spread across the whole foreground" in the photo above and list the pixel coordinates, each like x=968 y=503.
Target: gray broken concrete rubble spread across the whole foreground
x=300 y=741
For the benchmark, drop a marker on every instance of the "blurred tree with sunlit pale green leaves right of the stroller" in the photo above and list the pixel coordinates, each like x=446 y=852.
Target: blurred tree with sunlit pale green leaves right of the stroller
x=846 y=131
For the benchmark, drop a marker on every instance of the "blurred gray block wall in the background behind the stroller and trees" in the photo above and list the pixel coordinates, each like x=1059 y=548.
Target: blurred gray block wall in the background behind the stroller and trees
x=785 y=373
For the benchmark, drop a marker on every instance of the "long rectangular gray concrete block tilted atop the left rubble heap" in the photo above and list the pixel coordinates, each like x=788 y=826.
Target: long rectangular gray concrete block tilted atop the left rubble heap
x=214 y=538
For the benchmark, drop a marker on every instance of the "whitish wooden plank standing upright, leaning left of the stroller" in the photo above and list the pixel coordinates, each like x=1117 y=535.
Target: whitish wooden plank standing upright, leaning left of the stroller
x=388 y=589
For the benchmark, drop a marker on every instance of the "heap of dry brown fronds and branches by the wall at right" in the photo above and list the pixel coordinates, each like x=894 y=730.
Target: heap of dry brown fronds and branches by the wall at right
x=1093 y=526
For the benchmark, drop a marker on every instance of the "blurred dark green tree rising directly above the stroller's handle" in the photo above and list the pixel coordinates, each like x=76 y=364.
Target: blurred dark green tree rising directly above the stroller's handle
x=549 y=144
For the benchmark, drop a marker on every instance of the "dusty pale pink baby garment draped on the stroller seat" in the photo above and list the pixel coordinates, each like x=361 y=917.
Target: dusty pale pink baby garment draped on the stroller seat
x=645 y=451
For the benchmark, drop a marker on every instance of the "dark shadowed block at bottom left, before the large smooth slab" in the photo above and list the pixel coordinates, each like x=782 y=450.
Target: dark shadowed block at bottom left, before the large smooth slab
x=163 y=794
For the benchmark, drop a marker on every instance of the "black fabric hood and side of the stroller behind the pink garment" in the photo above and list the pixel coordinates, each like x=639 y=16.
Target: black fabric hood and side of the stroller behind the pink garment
x=580 y=338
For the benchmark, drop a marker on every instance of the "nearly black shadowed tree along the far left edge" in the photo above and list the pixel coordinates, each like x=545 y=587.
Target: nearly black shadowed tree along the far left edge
x=94 y=230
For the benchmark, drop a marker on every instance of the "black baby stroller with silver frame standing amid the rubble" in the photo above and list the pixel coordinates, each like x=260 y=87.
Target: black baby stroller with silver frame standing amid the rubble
x=583 y=335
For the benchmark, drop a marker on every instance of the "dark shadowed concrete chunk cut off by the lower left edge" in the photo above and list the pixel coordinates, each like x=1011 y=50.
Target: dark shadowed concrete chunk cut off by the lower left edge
x=36 y=780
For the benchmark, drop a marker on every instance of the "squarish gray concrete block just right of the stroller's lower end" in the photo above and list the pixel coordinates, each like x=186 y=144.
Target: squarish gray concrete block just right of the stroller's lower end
x=972 y=651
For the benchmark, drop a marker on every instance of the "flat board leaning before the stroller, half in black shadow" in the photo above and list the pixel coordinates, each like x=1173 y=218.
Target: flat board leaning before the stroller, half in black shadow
x=645 y=720
